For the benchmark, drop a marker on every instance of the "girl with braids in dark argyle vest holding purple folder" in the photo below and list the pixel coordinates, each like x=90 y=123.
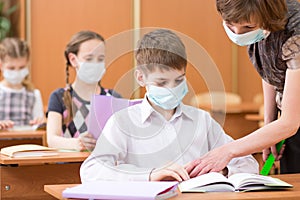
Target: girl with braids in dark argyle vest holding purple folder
x=69 y=107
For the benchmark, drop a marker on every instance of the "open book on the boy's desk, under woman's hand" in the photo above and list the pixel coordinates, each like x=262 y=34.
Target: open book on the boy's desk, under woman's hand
x=216 y=182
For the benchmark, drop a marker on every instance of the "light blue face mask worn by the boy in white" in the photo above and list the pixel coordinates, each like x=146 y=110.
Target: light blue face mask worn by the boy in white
x=167 y=98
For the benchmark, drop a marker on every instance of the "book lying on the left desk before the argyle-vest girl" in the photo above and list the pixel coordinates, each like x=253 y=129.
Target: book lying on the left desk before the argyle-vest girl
x=28 y=150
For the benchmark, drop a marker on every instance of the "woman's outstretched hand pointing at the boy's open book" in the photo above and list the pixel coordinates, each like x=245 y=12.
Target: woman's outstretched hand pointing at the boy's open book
x=214 y=161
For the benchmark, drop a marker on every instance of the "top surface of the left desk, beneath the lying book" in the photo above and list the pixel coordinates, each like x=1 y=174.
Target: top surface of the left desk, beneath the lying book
x=61 y=157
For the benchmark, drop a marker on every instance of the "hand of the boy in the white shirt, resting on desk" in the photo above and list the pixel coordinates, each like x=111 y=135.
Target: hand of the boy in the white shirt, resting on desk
x=173 y=172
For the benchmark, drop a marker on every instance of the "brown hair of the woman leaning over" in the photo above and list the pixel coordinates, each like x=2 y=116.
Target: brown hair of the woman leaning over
x=271 y=15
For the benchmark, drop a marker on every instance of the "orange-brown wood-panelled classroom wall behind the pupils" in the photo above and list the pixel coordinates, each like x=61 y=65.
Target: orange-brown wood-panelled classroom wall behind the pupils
x=54 y=21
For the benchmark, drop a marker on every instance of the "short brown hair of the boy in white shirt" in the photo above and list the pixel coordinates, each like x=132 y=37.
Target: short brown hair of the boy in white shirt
x=160 y=48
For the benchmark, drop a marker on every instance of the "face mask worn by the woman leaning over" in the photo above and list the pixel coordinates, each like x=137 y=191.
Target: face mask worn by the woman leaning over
x=245 y=38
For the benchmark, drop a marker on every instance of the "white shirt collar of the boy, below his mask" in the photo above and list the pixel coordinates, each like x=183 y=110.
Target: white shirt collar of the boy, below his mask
x=148 y=110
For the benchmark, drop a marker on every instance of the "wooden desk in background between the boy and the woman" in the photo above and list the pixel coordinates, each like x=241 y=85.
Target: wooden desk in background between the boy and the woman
x=235 y=124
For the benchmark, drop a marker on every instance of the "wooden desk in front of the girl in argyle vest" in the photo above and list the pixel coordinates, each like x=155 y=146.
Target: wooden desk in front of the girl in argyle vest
x=26 y=177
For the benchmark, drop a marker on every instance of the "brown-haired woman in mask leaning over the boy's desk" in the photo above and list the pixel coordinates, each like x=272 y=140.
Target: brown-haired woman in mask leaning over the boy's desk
x=271 y=30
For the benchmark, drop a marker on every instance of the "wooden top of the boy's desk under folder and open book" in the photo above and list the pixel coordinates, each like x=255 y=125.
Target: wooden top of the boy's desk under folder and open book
x=294 y=193
